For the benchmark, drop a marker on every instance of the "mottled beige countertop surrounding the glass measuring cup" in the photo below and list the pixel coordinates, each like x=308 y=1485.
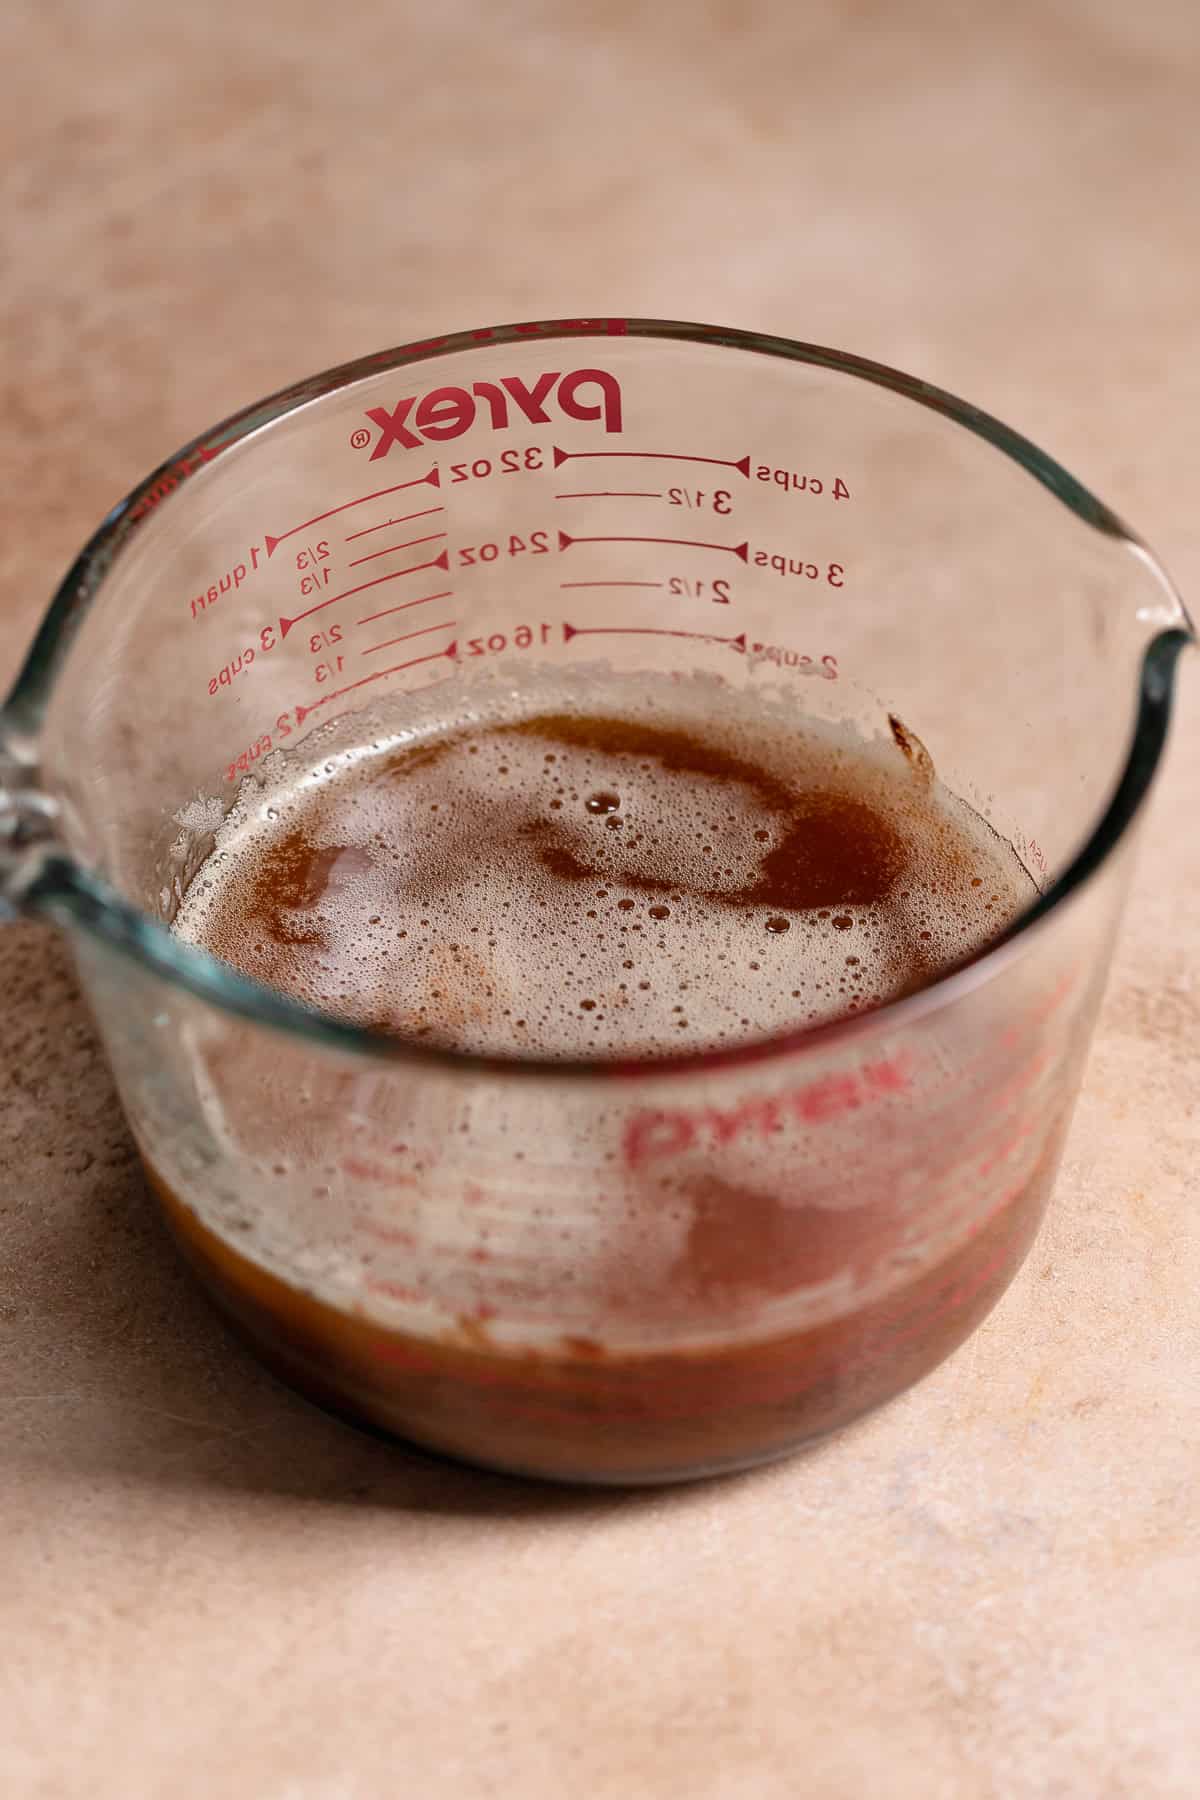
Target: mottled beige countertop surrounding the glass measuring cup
x=992 y=1587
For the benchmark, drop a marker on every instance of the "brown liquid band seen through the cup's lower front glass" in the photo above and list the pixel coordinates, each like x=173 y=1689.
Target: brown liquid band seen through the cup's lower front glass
x=582 y=1414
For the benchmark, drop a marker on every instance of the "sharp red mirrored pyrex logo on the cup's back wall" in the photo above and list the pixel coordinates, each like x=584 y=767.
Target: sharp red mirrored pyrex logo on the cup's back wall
x=447 y=413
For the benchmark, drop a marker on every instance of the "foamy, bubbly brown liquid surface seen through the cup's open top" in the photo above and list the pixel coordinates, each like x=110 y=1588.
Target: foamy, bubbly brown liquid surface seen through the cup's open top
x=602 y=868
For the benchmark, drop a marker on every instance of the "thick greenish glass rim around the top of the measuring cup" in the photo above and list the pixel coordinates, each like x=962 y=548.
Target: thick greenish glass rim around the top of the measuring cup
x=78 y=899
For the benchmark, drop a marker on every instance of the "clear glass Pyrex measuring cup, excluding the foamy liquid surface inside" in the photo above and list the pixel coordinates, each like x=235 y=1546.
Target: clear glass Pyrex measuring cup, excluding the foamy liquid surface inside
x=569 y=1270
